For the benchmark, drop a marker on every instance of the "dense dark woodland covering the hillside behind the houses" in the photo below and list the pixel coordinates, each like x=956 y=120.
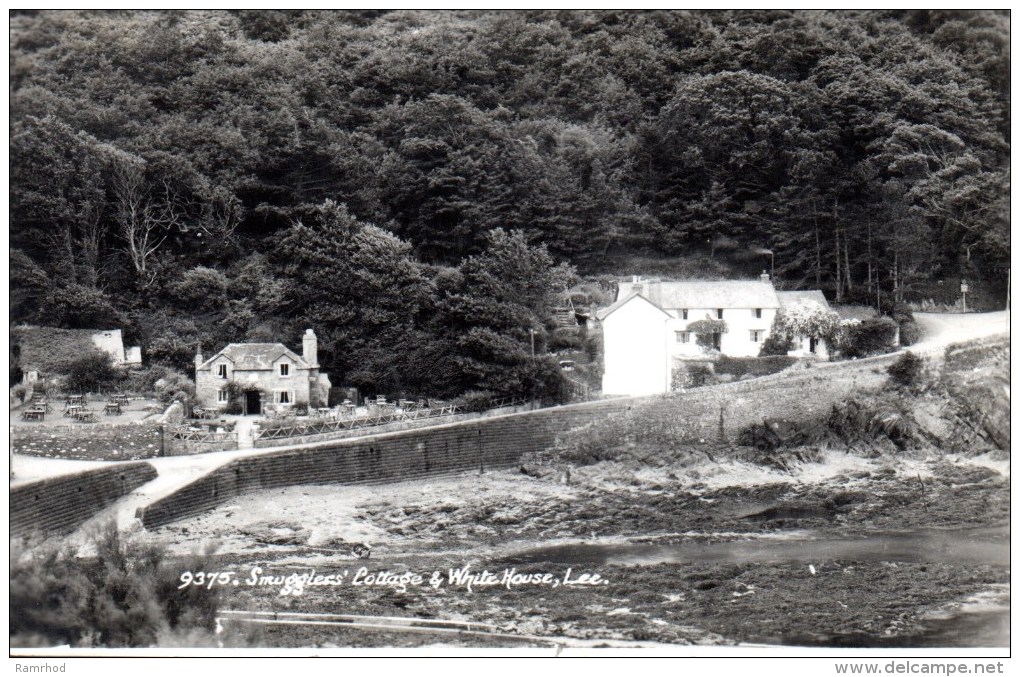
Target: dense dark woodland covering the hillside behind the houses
x=201 y=177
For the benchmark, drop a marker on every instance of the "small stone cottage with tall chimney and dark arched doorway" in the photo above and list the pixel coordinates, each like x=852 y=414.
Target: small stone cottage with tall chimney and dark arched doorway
x=257 y=376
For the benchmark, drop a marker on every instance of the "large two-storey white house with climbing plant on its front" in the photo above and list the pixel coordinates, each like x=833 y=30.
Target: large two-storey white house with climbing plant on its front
x=654 y=325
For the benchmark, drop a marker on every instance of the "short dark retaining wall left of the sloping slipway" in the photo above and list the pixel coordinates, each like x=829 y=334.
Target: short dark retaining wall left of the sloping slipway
x=61 y=505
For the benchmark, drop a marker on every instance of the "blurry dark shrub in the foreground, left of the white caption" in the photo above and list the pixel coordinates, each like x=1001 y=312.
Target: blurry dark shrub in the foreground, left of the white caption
x=126 y=596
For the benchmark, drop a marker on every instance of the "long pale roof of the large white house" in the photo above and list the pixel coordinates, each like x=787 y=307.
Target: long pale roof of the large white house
x=674 y=295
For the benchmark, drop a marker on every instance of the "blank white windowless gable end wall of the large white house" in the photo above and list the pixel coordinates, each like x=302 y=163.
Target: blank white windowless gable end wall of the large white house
x=635 y=348
